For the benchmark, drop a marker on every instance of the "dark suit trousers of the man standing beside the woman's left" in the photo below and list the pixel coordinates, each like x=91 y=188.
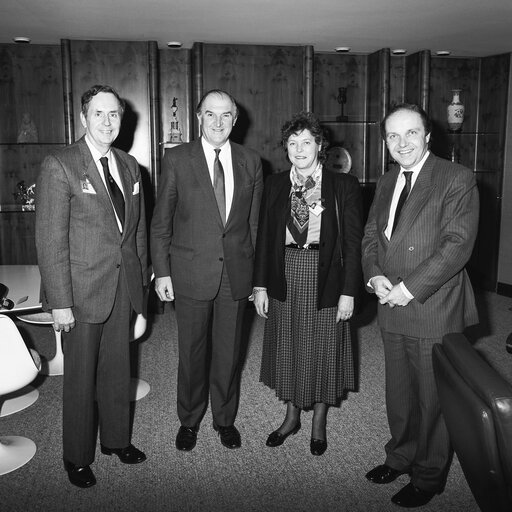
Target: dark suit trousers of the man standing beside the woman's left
x=205 y=367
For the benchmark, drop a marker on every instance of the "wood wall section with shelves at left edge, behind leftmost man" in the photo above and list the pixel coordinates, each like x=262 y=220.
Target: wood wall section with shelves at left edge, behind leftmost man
x=30 y=93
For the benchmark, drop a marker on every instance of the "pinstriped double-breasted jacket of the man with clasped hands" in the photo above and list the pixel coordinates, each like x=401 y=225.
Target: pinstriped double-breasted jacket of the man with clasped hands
x=428 y=250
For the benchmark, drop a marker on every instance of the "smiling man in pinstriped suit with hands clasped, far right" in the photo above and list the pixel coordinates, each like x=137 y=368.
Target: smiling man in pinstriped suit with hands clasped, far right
x=414 y=253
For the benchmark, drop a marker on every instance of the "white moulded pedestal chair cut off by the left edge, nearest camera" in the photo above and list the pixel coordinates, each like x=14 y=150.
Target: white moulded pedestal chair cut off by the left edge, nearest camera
x=17 y=369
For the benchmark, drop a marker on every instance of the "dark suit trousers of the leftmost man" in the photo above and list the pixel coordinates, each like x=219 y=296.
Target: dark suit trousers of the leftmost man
x=97 y=368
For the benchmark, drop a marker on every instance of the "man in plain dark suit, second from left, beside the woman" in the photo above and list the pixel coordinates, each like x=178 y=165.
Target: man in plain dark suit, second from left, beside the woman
x=203 y=235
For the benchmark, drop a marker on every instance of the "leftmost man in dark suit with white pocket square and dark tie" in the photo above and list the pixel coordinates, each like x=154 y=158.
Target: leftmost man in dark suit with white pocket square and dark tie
x=91 y=248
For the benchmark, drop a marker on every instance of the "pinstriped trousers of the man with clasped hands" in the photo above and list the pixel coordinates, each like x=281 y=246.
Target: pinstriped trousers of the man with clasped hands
x=419 y=439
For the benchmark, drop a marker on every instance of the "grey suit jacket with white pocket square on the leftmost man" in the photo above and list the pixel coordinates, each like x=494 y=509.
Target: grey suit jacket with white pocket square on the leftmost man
x=80 y=250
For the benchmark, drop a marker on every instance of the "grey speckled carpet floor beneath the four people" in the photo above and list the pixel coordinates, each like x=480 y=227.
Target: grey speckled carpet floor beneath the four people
x=254 y=478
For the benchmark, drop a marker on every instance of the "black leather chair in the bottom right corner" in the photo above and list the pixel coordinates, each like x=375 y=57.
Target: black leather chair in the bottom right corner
x=477 y=405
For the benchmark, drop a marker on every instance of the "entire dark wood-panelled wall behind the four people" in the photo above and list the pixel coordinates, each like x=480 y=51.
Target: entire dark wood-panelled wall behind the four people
x=270 y=83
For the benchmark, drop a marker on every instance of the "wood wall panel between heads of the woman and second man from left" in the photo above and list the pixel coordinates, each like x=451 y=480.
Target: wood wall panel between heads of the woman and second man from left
x=267 y=83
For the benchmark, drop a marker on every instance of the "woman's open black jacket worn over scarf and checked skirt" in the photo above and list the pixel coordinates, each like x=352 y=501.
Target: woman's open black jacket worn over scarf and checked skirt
x=339 y=265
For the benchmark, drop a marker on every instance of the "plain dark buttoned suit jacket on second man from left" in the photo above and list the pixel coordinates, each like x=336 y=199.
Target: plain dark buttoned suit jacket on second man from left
x=188 y=240
